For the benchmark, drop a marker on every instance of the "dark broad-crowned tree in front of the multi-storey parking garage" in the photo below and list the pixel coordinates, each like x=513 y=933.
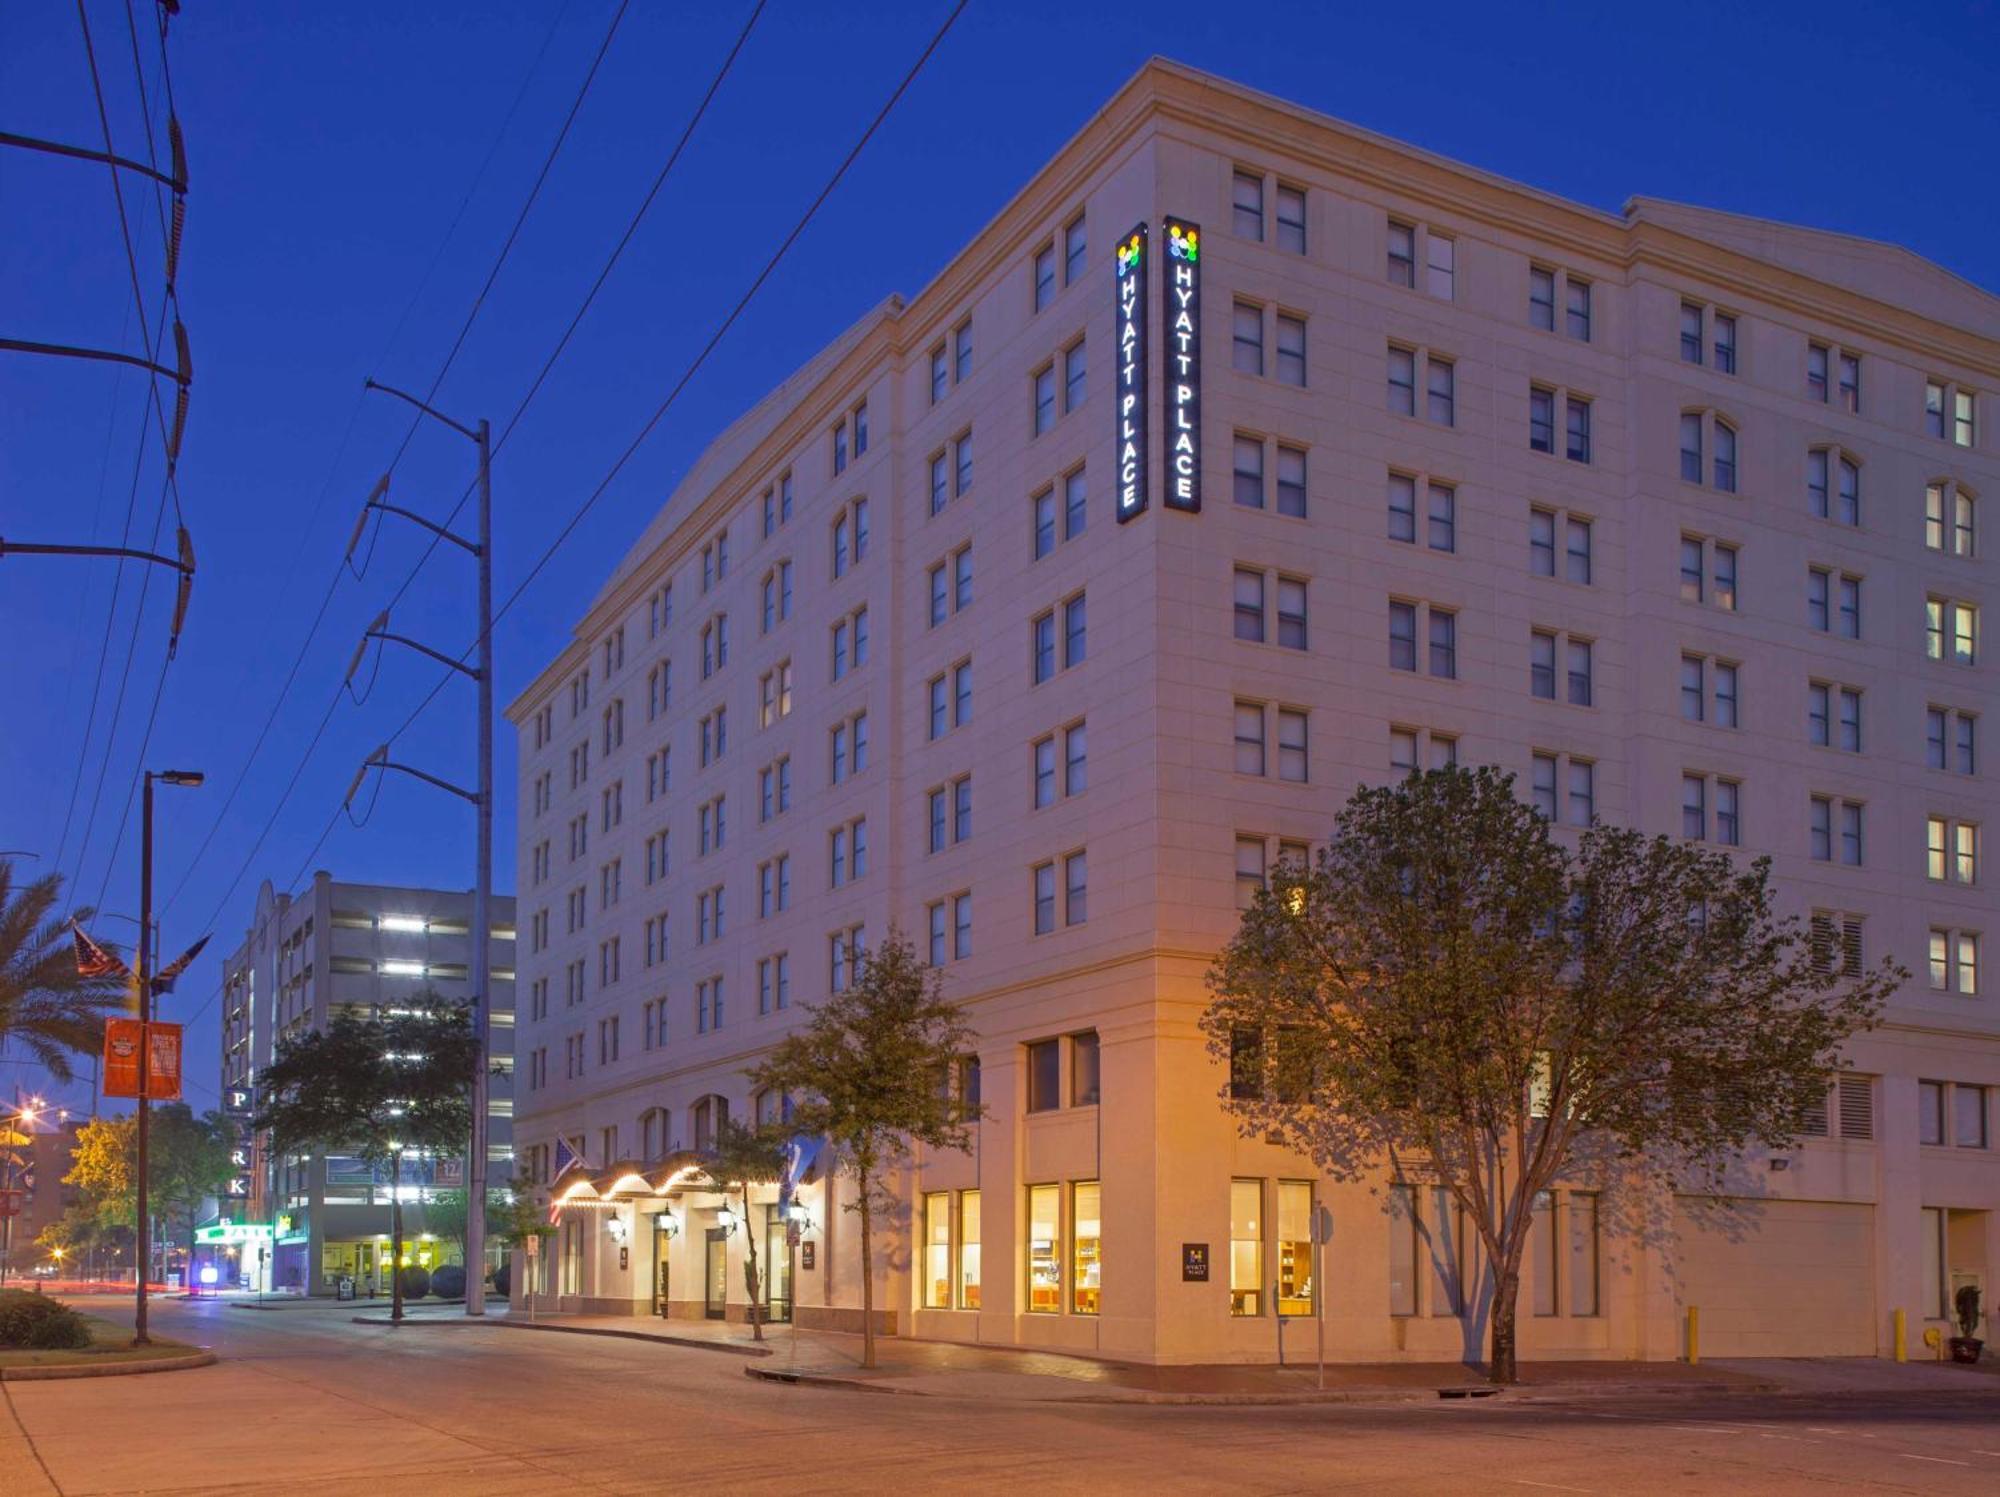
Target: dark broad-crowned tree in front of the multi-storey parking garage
x=379 y=1088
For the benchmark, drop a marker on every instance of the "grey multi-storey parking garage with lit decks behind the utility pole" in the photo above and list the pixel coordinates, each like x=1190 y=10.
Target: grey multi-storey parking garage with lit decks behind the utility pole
x=343 y=948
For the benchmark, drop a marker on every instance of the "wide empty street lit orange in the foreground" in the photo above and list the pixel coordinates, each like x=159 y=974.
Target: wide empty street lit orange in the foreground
x=307 y=1404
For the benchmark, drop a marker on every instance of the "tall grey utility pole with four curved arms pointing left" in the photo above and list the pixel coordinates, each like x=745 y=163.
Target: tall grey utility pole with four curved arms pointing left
x=481 y=798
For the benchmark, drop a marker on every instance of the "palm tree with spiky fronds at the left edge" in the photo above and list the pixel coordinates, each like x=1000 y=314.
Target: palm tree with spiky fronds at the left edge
x=45 y=1006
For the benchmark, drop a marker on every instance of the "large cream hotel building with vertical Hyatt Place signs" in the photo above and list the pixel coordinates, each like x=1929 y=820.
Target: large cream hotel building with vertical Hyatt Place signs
x=1673 y=513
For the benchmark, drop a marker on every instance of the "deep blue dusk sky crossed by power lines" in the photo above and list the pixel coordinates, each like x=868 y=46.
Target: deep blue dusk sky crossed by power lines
x=333 y=145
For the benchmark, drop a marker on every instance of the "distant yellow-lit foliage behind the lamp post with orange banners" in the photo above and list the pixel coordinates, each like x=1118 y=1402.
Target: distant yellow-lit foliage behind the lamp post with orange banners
x=187 y=1162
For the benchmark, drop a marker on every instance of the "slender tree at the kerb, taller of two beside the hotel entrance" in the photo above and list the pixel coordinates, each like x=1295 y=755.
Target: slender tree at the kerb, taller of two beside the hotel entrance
x=865 y=1074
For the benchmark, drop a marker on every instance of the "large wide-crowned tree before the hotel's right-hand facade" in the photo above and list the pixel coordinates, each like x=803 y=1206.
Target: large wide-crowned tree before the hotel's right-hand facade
x=1455 y=990
